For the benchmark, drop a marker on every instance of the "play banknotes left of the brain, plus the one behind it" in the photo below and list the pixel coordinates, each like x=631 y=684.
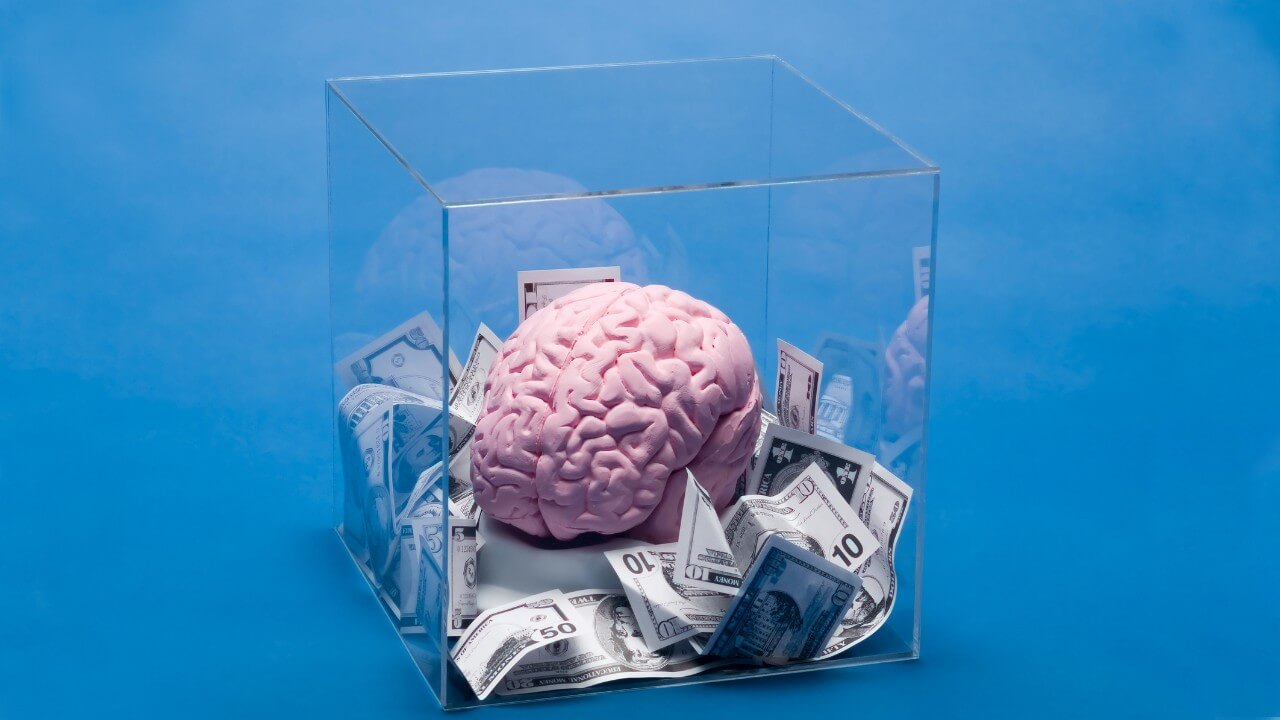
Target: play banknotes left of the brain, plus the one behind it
x=395 y=450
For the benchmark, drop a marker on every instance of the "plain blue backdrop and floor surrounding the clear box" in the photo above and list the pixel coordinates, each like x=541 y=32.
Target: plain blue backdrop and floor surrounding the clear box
x=1105 y=462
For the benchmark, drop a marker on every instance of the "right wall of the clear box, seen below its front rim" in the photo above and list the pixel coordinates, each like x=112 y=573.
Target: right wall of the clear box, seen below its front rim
x=851 y=276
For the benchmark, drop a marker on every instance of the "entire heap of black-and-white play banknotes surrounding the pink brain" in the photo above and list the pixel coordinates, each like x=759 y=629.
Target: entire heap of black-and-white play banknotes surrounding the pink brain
x=799 y=568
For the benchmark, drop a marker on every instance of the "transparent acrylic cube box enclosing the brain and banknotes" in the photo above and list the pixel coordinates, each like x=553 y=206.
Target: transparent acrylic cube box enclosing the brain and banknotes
x=738 y=181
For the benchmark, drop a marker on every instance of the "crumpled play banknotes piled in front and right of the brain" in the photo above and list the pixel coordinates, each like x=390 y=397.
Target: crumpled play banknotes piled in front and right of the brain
x=801 y=576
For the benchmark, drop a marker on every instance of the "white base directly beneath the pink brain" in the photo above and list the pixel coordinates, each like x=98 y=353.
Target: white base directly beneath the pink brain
x=511 y=566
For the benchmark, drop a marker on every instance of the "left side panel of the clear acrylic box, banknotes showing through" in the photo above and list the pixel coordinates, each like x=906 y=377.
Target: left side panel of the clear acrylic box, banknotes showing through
x=391 y=380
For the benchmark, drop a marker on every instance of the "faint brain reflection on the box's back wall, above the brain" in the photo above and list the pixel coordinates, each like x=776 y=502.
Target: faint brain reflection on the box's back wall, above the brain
x=490 y=245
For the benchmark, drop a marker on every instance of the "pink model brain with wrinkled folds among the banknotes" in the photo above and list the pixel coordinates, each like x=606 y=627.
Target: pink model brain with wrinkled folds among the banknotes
x=600 y=403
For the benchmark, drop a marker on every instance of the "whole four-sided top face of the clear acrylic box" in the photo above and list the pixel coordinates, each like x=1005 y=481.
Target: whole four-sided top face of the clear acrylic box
x=588 y=131
